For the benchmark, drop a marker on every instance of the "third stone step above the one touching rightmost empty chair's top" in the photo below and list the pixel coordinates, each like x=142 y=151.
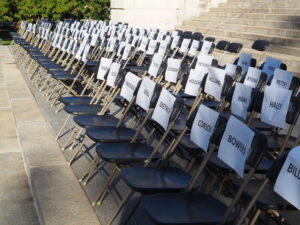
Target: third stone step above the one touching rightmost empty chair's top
x=256 y=16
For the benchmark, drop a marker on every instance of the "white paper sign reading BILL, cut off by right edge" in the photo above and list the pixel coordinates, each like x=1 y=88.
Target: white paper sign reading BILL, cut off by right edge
x=288 y=181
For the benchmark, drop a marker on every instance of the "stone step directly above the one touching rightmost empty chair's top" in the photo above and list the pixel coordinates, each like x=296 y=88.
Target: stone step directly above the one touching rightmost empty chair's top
x=249 y=28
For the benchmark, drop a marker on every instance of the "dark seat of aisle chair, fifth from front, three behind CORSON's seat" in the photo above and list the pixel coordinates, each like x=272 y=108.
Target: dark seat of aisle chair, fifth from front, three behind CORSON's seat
x=87 y=121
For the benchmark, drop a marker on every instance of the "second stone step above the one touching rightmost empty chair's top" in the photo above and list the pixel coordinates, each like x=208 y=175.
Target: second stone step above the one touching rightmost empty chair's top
x=243 y=21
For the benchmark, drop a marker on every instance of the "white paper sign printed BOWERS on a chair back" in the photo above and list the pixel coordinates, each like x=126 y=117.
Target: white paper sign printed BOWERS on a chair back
x=235 y=145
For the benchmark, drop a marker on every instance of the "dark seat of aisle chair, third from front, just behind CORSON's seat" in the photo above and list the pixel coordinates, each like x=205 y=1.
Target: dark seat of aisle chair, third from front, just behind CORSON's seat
x=125 y=153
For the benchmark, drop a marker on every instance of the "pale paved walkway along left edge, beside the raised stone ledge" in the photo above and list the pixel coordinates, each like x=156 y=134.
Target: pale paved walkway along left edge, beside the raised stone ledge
x=16 y=203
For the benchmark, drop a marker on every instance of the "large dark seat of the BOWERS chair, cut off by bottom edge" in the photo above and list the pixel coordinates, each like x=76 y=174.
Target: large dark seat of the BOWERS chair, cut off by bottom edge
x=185 y=208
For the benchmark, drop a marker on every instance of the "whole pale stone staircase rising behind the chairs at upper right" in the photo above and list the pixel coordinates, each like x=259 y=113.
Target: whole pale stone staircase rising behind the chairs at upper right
x=245 y=21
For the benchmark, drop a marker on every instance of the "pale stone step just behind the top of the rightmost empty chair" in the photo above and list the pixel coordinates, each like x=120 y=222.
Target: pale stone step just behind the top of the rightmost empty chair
x=295 y=42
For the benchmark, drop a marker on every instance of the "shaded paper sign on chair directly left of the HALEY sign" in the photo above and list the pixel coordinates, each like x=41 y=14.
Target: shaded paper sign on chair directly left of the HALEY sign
x=241 y=100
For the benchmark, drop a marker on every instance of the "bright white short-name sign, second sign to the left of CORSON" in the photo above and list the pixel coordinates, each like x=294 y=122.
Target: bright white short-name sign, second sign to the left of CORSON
x=145 y=93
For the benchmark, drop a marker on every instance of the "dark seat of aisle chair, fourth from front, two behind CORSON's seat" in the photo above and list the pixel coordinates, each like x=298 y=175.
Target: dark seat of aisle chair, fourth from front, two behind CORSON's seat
x=111 y=134
